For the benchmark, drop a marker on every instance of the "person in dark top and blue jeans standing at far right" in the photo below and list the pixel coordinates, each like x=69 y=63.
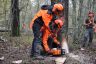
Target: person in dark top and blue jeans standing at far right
x=89 y=24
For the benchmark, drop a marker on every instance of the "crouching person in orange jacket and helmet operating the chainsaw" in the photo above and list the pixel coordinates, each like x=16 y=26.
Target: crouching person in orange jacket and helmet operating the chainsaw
x=47 y=34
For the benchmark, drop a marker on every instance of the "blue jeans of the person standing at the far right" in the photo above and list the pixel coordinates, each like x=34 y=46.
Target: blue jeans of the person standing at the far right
x=88 y=37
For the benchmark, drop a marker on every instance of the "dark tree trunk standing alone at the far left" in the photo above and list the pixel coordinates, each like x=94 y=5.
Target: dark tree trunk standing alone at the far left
x=15 y=18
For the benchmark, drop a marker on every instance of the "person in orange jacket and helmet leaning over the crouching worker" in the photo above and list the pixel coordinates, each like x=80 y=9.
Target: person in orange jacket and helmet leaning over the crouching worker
x=44 y=16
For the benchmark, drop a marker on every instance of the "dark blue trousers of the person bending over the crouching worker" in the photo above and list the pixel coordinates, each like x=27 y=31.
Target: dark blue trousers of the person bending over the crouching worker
x=36 y=41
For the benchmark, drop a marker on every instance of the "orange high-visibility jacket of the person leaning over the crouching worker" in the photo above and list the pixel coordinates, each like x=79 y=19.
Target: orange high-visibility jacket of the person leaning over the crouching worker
x=45 y=17
